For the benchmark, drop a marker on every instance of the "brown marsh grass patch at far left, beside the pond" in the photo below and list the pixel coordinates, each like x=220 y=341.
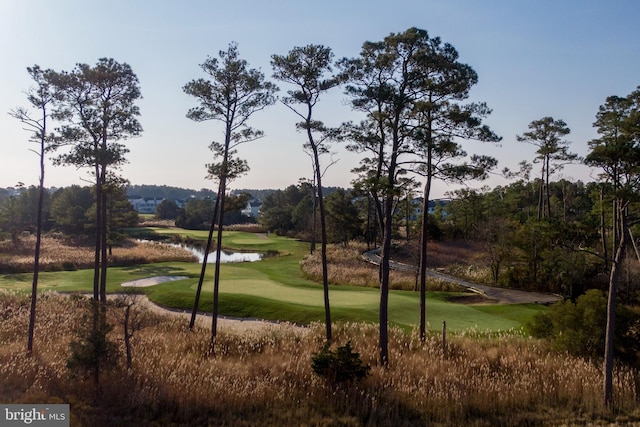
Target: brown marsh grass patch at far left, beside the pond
x=59 y=253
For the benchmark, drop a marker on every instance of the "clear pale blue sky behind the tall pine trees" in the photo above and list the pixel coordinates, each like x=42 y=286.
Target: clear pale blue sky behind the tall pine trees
x=558 y=58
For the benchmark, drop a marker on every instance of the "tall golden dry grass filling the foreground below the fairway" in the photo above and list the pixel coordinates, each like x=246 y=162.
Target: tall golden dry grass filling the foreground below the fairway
x=263 y=377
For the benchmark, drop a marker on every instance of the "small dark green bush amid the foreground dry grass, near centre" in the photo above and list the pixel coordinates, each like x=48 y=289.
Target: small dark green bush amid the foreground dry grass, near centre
x=343 y=365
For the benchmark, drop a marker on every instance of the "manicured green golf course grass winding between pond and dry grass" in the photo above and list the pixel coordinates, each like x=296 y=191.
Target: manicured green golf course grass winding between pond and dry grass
x=275 y=289
